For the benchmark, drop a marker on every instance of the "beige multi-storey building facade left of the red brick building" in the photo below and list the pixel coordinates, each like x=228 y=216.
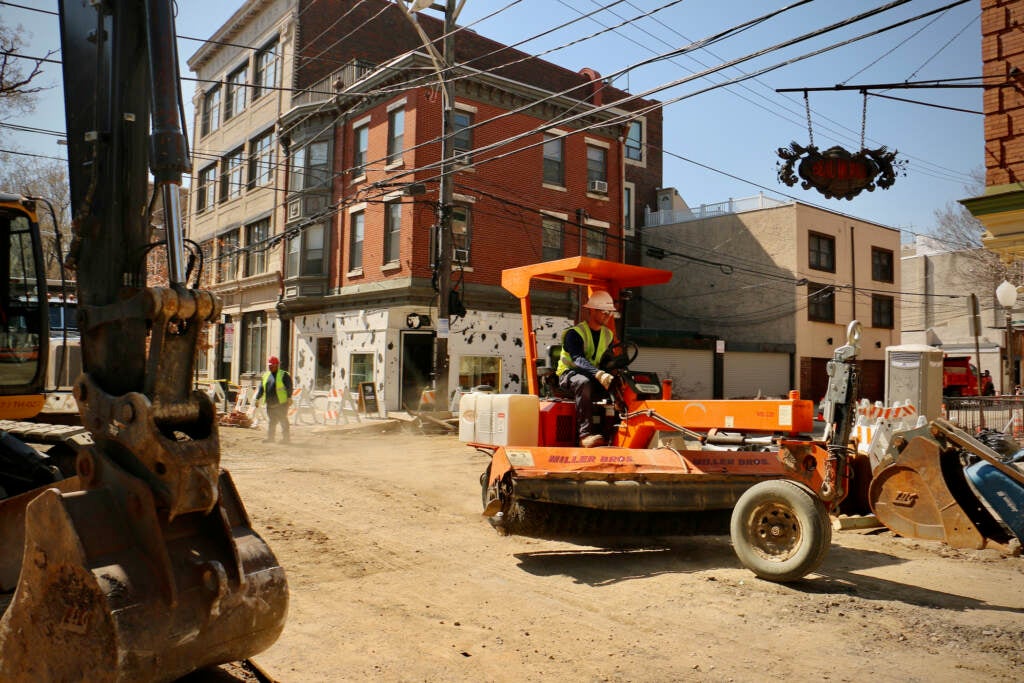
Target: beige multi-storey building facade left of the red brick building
x=236 y=210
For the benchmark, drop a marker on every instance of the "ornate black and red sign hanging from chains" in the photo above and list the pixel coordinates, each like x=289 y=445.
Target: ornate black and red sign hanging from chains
x=837 y=173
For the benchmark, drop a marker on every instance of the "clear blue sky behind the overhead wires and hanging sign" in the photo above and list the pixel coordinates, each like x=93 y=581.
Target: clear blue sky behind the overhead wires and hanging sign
x=721 y=144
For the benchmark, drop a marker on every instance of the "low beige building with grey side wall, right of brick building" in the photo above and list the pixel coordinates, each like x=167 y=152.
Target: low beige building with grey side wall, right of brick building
x=763 y=292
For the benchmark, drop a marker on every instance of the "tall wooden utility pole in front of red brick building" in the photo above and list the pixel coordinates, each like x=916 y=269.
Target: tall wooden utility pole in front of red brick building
x=446 y=193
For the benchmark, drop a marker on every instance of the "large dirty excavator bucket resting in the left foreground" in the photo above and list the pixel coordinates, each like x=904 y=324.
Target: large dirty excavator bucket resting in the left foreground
x=113 y=589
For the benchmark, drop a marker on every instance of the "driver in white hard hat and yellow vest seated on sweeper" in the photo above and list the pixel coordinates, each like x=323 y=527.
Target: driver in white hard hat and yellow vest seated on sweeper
x=583 y=347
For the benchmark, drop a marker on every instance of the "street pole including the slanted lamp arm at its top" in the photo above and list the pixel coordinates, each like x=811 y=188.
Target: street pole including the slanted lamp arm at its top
x=446 y=192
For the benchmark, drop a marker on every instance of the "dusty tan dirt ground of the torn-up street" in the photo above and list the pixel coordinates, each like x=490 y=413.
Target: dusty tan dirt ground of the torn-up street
x=396 y=577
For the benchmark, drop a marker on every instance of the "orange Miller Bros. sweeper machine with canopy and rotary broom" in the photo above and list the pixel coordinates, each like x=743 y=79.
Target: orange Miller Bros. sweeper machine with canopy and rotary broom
x=752 y=468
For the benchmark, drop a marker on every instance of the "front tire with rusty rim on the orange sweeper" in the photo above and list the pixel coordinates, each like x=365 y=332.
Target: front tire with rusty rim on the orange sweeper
x=781 y=531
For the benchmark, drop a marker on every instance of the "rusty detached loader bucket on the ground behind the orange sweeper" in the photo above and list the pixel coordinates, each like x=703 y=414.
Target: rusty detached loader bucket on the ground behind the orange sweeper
x=920 y=492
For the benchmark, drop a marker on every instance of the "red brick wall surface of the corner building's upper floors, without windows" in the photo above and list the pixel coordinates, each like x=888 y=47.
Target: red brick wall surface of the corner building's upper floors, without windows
x=509 y=192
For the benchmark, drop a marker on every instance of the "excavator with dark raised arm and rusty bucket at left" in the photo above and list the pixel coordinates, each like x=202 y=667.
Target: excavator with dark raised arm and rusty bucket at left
x=136 y=560
